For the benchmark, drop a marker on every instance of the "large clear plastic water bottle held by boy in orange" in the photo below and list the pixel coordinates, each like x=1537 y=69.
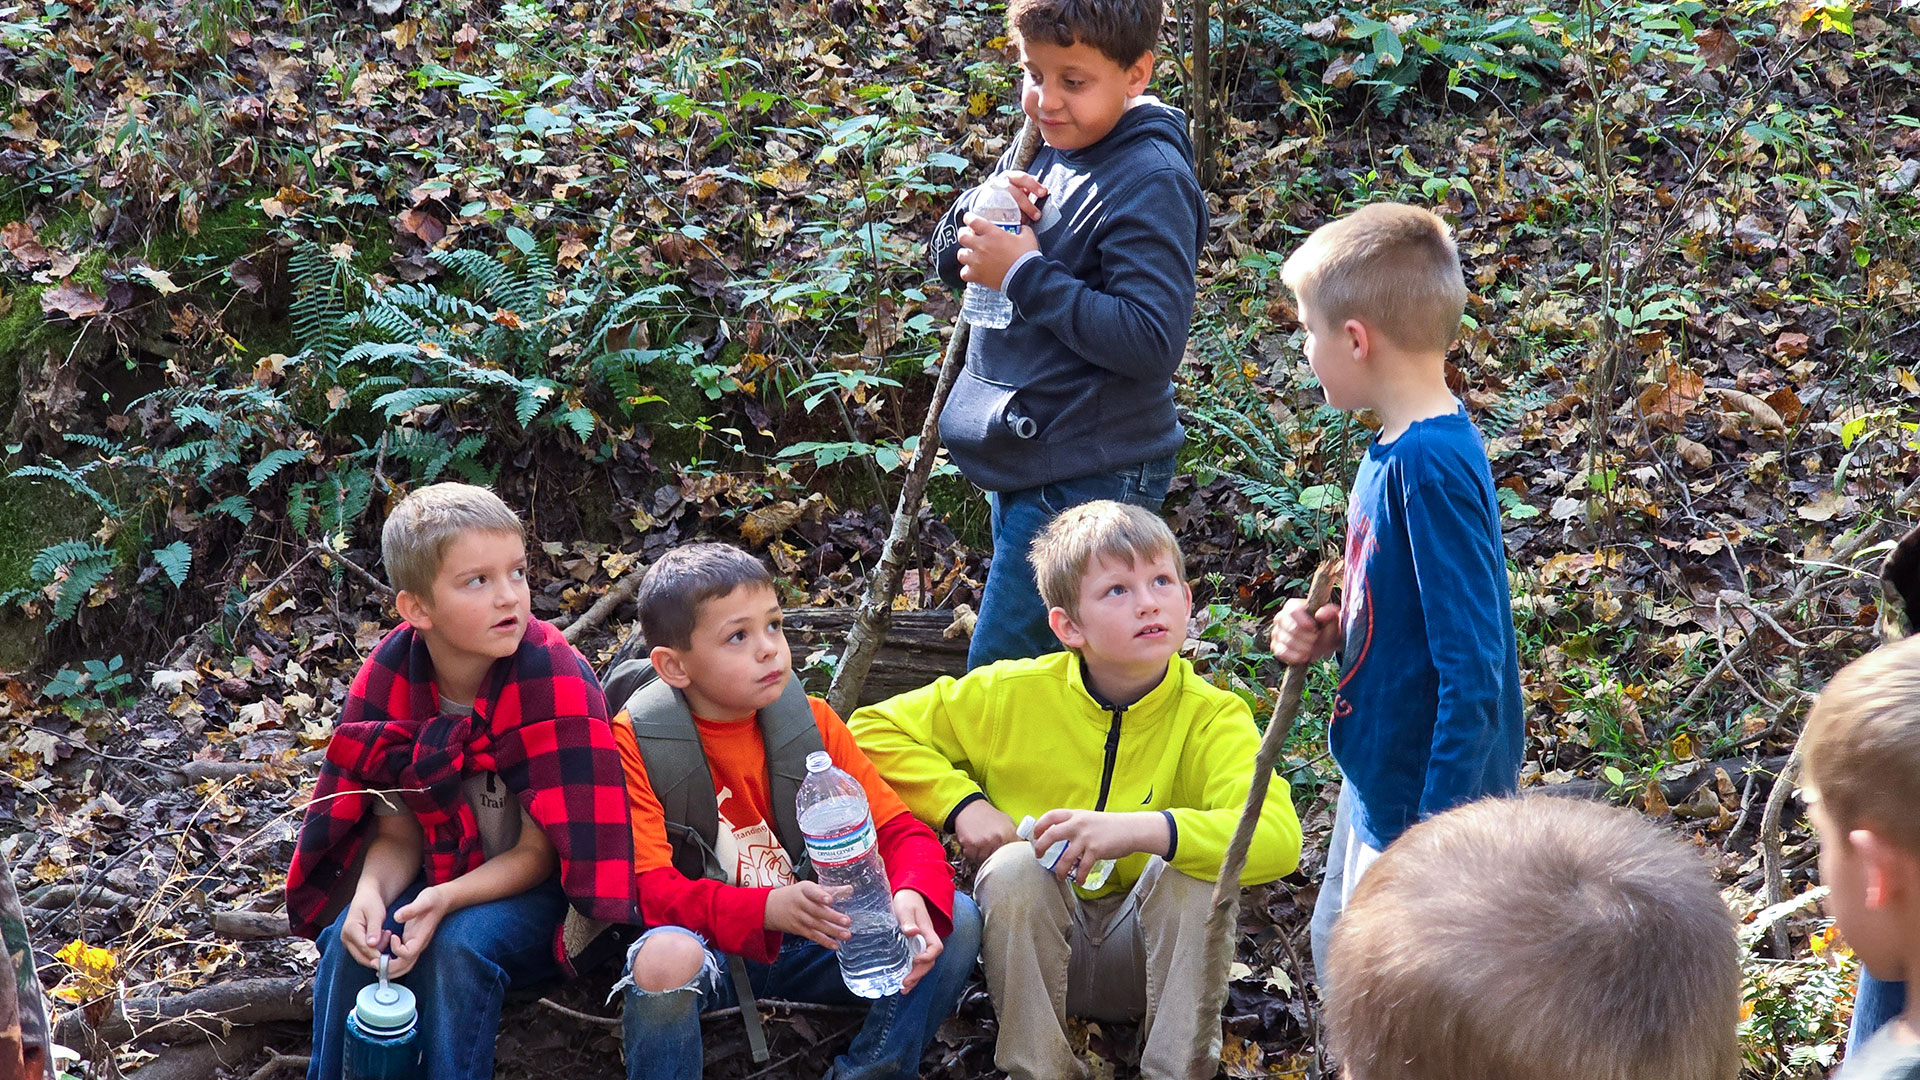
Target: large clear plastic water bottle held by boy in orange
x=846 y=852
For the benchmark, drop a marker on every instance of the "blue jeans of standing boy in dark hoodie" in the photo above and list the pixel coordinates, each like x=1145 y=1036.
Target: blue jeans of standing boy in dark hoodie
x=1013 y=618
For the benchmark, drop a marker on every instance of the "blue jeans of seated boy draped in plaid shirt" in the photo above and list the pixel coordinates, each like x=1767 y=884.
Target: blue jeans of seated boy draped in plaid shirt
x=460 y=981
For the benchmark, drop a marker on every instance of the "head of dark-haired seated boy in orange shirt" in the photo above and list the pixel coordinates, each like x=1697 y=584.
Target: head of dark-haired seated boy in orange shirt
x=713 y=620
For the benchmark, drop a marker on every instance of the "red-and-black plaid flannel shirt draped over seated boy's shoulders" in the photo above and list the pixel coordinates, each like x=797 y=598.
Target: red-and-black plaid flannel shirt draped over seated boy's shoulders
x=540 y=722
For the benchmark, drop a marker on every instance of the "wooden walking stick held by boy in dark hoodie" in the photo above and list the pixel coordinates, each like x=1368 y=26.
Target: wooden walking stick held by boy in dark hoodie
x=876 y=608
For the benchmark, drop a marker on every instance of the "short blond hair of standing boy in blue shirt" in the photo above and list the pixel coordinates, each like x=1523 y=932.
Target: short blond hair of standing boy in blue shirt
x=1389 y=266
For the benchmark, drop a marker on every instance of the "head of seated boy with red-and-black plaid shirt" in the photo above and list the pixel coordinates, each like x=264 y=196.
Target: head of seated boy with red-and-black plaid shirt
x=456 y=556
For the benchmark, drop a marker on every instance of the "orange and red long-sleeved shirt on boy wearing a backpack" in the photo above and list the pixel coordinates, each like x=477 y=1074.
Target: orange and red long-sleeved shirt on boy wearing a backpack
x=732 y=914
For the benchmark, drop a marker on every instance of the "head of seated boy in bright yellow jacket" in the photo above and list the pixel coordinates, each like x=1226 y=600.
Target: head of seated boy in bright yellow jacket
x=1116 y=593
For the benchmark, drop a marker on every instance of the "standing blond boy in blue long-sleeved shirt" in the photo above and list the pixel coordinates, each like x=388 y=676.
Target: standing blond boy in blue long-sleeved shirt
x=1429 y=706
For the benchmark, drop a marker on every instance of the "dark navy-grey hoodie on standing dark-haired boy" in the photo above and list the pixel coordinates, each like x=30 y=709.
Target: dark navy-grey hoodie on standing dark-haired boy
x=1101 y=316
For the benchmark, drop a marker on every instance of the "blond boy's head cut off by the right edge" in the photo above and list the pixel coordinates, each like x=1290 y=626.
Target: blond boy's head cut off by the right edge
x=1863 y=793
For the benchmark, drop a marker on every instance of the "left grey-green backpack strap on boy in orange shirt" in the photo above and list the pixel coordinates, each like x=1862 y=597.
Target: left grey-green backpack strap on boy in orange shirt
x=677 y=766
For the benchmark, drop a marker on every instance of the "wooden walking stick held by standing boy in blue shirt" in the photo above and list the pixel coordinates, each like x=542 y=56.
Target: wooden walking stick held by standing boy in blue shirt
x=1224 y=916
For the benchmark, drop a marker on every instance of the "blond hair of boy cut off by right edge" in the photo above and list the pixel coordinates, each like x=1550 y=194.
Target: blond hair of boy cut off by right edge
x=1863 y=745
